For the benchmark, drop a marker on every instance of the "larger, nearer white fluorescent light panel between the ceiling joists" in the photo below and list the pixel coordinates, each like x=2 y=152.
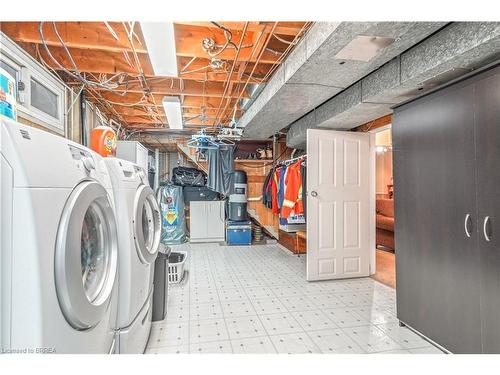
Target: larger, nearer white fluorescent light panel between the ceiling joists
x=160 y=41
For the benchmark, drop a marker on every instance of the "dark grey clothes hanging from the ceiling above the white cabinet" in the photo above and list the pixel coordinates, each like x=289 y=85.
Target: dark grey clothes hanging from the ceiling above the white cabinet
x=221 y=169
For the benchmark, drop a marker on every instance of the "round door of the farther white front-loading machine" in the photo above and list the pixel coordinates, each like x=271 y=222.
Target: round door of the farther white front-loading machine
x=147 y=224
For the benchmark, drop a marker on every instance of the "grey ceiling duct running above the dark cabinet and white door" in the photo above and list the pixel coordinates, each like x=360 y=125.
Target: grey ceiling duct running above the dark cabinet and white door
x=453 y=51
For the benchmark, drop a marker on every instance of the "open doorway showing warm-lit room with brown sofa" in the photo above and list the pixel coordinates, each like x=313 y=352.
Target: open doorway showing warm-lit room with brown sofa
x=385 y=271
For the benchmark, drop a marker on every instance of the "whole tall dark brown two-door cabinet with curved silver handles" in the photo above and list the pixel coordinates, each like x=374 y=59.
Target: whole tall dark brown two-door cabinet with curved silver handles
x=446 y=151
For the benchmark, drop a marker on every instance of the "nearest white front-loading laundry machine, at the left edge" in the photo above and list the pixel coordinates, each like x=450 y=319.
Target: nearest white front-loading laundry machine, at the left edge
x=59 y=253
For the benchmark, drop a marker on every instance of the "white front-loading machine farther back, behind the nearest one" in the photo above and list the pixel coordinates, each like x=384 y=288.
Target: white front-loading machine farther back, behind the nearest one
x=139 y=231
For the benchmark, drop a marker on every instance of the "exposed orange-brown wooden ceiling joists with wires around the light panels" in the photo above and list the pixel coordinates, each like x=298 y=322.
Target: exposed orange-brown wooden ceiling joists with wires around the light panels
x=102 y=50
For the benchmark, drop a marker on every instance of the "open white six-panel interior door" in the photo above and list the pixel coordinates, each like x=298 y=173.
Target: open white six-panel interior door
x=340 y=204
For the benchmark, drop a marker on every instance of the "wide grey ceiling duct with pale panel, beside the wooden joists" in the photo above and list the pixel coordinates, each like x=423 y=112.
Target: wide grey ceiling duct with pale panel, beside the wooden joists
x=329 y=59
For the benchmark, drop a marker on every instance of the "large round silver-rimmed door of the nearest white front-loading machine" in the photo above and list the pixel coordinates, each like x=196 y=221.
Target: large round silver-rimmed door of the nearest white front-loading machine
x=86 y=256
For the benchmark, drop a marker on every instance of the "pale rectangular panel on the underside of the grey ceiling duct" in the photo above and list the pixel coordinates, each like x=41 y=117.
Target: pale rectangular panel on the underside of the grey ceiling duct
x=363 y=48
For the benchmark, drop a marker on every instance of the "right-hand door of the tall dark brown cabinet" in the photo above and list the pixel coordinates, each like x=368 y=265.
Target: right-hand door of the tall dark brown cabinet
x=487 y=119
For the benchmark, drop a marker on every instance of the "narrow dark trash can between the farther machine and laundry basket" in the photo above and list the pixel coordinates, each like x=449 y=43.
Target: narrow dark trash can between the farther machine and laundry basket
x=160 y=284
